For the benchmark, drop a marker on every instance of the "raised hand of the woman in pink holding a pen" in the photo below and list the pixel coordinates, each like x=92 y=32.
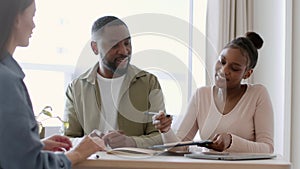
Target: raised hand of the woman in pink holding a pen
x=162 y=122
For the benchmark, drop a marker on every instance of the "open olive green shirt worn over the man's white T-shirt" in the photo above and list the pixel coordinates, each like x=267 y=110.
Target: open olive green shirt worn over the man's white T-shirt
x=140 y=92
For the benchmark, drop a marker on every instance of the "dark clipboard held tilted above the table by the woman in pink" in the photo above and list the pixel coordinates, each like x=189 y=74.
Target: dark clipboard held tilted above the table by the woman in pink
x=204 y=143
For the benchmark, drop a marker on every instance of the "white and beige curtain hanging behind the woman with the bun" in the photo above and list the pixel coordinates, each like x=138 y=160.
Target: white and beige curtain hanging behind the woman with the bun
x=226 y=19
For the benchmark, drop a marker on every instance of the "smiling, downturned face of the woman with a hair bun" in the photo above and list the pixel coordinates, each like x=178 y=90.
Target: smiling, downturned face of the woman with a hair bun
x=231 y=68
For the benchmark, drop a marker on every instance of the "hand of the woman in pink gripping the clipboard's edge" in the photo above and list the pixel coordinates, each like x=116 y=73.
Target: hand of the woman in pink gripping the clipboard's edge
x=221 y=142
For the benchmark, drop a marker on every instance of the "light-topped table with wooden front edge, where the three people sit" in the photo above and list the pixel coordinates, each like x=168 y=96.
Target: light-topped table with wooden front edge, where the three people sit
x=108 y=161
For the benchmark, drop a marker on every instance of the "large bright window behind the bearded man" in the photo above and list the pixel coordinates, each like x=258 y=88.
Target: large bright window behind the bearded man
x=163 y=45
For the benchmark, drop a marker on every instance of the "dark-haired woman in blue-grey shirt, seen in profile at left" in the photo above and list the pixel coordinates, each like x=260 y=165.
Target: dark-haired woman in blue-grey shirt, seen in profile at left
x=20 y=146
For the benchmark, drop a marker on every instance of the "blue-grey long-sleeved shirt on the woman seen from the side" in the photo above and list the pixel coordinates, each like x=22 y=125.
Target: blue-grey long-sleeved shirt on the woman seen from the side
x=20 y=145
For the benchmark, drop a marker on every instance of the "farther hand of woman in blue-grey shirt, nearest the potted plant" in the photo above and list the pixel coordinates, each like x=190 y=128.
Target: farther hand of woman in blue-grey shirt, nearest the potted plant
x=57 y=143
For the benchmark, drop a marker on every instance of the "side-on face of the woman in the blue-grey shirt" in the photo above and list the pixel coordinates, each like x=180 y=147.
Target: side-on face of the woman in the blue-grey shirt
x=24 y=25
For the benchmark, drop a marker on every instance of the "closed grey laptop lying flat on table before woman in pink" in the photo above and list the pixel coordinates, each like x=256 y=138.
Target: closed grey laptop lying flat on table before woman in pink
x=231 y=156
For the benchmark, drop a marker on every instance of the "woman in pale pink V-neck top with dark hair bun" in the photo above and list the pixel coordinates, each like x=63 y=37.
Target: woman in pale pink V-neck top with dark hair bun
x=237 y=117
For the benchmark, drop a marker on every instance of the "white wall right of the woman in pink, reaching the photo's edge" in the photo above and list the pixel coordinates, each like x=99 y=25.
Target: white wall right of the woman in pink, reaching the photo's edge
x=279 y=22
